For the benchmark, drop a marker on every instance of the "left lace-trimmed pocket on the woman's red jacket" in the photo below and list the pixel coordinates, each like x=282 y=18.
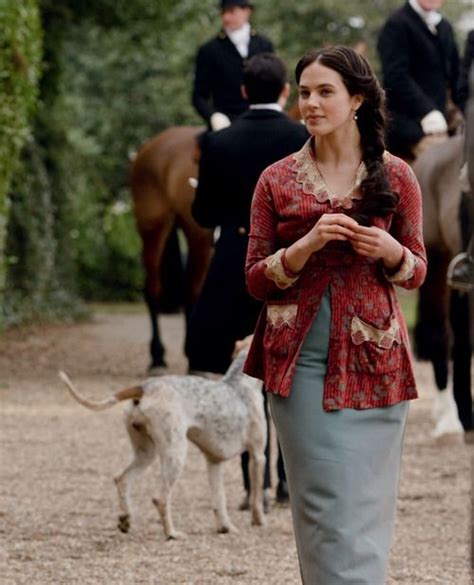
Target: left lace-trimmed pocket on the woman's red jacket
x=280 y=329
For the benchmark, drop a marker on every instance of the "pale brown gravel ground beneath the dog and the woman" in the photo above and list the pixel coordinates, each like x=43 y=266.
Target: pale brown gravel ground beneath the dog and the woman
x=58 y=503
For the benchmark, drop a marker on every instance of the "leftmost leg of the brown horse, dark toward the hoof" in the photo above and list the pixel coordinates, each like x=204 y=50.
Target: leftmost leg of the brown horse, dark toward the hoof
x=154 y=241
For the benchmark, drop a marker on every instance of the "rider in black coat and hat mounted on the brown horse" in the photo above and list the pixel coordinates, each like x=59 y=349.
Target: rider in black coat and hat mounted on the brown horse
x=218 y=76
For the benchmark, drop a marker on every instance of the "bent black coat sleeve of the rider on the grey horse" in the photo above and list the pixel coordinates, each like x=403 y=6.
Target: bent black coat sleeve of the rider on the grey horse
x=402 y=88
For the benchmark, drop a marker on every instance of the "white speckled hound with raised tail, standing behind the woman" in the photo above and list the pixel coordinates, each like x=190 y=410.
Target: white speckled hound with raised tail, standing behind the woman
x=223 y=418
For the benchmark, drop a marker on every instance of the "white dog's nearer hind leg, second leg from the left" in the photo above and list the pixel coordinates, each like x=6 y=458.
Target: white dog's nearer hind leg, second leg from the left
x=172 y=450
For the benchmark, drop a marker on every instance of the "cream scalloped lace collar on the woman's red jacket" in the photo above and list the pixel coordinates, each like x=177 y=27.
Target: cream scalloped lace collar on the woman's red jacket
x=312 y=182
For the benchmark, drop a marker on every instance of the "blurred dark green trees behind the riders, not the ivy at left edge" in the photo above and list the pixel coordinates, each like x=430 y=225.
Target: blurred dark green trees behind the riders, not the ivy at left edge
x=117 y=72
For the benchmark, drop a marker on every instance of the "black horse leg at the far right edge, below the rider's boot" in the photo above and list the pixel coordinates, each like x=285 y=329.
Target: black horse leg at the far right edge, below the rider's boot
x=461 y=354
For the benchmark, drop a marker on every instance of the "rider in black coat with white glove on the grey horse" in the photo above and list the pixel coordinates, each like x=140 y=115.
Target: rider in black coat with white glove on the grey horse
x=420 y=66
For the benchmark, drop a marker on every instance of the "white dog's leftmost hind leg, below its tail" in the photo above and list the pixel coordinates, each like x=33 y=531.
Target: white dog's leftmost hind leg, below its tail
x=144 y=454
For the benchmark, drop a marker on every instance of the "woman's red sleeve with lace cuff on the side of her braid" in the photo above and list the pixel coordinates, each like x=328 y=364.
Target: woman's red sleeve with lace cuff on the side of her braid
x=407 y=228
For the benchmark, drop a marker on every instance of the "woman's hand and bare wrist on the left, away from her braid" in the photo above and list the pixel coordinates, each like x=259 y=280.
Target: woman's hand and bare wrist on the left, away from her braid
x=330 y=226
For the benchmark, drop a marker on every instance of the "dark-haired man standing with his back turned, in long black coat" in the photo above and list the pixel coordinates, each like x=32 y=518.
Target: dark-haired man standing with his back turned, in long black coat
x=230 y=166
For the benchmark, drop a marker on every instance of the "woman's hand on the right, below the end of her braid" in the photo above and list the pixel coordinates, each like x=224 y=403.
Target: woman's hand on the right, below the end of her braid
x=374 y=242
